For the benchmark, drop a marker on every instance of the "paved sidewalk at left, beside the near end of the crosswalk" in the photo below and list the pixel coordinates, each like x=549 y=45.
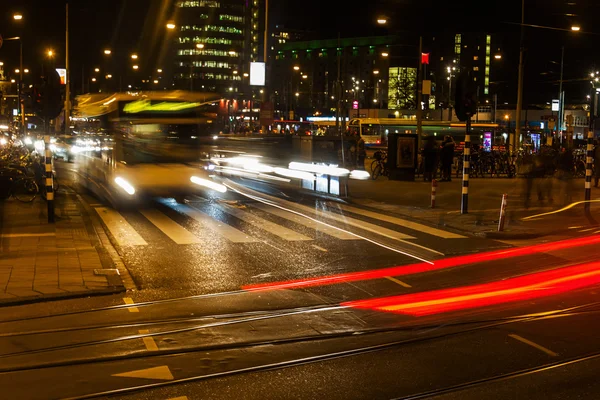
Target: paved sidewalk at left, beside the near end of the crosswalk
x=41 y=261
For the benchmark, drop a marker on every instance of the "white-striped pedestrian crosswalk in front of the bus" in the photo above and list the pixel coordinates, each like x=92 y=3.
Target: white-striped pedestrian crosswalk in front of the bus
x=253 y=222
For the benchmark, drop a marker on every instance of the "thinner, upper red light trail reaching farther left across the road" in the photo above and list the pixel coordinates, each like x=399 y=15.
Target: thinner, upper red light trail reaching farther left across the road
x=411 y=269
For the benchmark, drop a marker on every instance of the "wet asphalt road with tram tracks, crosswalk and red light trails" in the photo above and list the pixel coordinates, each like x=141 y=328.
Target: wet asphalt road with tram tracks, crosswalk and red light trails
x=263 y=296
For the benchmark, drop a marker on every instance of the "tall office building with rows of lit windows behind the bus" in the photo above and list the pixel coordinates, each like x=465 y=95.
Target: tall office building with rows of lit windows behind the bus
x=215 y=43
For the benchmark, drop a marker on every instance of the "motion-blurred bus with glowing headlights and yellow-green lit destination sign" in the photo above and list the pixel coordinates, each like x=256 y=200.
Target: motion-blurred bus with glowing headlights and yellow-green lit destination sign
x=157 y=138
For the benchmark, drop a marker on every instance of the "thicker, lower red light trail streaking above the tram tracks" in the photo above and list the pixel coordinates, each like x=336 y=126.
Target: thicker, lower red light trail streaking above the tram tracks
x=541 y=284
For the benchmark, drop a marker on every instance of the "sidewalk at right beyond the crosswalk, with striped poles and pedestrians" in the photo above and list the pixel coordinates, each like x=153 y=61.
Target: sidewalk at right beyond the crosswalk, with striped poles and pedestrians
x=413 y=199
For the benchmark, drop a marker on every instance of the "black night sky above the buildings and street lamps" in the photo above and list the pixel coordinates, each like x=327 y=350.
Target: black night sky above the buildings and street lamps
x=128 y=26
